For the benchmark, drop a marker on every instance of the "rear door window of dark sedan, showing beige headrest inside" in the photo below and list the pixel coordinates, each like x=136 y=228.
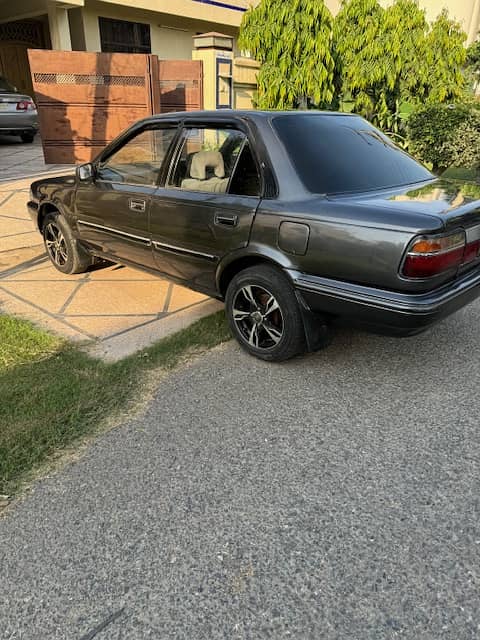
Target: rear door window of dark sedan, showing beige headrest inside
x=208 y=161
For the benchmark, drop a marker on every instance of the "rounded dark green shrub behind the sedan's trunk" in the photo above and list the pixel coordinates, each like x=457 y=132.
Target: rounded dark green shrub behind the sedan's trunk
x=431 y=132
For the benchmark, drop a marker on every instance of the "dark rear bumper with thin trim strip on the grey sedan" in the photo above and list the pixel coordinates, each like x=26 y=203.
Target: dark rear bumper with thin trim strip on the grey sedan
x=384 y=311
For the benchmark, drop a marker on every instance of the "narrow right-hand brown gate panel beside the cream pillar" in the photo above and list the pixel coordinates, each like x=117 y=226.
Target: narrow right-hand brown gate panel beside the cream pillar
x=179 y=86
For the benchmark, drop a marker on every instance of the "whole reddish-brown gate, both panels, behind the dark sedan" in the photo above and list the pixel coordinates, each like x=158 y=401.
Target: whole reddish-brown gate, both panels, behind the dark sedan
x=86 y=99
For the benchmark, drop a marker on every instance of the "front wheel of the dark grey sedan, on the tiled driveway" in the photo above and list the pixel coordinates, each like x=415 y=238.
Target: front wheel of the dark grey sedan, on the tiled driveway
x=62 y=248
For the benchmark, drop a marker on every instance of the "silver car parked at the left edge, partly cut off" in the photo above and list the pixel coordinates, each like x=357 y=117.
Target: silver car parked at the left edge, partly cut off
x=18 y=113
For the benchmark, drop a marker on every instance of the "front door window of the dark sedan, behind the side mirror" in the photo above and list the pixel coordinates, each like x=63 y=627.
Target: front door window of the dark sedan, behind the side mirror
x=139 y=160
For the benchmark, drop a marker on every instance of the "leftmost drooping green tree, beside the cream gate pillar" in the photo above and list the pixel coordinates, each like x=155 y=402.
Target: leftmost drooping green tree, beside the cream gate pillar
x=292 y=39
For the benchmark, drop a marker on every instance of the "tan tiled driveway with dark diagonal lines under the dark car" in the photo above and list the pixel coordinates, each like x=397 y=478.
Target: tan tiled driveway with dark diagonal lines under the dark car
x=118 y=308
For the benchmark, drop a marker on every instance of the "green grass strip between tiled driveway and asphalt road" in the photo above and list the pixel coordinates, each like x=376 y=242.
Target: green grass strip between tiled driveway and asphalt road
x=53 y=394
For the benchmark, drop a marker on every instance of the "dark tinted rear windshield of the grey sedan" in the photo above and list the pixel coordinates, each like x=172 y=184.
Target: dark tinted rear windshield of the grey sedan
x=344 y=154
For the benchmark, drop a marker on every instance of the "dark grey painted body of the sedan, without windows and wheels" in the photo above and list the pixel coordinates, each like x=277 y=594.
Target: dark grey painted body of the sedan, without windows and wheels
x=353 y=241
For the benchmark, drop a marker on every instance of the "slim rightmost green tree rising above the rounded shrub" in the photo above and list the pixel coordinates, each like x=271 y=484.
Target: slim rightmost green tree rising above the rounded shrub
x=446 y=55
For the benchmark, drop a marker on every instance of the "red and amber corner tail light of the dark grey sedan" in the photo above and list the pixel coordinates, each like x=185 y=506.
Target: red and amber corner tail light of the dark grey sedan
x=429 y=255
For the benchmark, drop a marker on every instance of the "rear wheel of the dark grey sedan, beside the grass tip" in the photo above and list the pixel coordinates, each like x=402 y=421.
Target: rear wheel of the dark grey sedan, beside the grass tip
x=264 y=314
